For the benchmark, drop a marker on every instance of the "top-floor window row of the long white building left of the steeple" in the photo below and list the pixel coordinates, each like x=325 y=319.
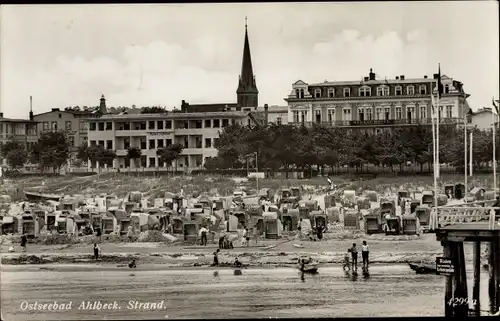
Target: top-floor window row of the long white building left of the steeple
x=161 y=124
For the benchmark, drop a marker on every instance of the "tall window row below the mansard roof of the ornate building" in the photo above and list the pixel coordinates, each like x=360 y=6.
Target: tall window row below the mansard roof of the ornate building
x=367 y=114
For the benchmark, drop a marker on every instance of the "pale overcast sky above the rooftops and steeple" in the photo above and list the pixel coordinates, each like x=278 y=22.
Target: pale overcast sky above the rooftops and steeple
x=68 y=55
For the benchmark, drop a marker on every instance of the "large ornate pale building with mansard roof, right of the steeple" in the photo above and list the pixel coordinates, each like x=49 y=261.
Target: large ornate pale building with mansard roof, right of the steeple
x=373 y=103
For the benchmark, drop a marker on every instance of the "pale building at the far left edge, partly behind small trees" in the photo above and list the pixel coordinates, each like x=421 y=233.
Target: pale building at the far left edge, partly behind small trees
x=22 y=130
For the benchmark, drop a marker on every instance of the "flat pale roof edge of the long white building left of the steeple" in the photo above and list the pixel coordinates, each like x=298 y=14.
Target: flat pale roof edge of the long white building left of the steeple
x=223 y=114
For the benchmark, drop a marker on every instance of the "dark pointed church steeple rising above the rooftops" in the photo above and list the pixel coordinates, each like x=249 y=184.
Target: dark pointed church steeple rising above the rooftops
x=247 y=92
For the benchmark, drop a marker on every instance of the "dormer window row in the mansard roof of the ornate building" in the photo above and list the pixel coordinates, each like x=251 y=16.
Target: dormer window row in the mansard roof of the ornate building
x=365 y=91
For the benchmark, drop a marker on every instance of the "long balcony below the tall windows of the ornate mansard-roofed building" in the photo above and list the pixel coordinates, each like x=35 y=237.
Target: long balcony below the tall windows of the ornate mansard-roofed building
x=381 y=123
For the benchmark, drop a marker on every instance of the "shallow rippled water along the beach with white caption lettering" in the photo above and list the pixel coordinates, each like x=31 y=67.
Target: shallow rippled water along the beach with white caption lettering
x=281 y=292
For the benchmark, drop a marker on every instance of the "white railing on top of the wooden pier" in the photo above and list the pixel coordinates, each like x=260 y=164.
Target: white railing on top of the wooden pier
x=479 y=211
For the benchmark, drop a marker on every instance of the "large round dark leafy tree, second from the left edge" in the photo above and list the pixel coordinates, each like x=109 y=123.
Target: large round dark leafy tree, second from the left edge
x=51 y=151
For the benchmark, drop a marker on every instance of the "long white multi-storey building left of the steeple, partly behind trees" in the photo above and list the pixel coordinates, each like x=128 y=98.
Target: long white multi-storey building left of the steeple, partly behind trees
x=197 y=132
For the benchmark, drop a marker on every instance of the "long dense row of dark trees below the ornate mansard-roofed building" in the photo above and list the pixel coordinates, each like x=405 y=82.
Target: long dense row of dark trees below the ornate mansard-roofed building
x=288 y=147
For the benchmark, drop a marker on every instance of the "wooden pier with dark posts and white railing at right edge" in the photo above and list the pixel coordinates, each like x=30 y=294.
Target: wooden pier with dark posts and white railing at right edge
x=476 y=223
